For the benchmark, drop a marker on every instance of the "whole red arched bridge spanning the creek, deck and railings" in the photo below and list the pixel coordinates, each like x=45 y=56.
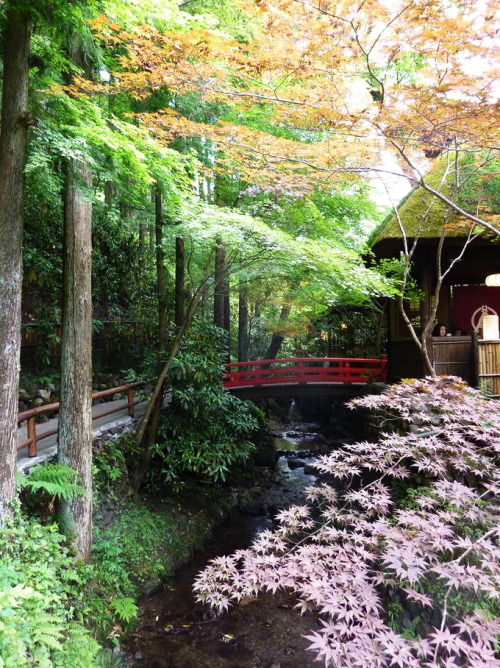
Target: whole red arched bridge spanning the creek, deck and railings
x=303 y=376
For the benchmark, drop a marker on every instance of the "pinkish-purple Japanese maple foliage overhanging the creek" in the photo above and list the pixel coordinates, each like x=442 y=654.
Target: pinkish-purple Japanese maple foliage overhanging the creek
x=352 y=553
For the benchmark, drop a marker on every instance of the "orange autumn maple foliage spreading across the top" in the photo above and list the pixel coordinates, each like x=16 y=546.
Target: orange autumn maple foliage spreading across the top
x=349 y=88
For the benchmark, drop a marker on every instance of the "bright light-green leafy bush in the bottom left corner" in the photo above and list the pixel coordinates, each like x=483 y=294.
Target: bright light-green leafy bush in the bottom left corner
x=37 y=578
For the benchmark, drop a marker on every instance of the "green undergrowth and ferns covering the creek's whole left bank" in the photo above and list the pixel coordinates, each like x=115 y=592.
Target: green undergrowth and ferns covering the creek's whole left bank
x=57 y=612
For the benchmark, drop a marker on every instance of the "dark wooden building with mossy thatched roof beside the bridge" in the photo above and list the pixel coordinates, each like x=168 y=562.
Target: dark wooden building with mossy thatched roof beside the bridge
x=462 y=294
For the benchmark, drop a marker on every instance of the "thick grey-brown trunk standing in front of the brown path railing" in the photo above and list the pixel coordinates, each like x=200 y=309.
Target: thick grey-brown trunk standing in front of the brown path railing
x=75 y=420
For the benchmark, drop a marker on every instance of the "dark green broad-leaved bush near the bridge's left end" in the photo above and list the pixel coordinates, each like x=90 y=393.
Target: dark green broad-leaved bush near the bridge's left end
x=206 y=430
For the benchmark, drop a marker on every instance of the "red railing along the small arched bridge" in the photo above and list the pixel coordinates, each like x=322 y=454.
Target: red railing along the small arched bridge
x=304 y=370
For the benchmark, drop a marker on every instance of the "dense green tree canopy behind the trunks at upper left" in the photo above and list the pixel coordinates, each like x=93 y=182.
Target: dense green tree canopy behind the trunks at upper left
x=304 y=247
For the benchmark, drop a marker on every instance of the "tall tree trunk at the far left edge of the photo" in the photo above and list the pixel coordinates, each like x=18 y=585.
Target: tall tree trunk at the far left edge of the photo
x=13 y=138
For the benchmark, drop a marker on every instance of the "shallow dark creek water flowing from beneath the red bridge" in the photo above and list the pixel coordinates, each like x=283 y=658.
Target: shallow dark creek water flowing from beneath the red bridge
x=176 y=632
